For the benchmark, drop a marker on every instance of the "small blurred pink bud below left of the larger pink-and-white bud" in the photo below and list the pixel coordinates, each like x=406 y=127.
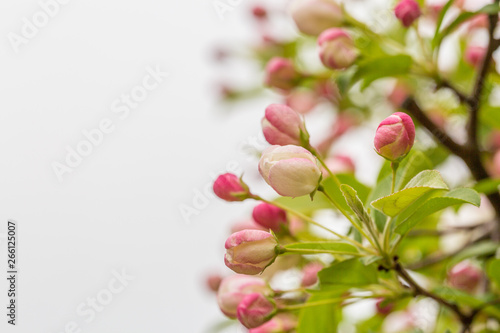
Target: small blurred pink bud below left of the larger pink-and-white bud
x=281 y=74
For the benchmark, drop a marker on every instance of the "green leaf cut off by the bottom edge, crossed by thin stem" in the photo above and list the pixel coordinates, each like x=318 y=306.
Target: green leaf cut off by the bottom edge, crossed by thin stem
x=323 y=318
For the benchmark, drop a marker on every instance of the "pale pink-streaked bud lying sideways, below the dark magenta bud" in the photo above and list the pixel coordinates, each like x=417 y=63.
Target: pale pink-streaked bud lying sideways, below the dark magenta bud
x=250 y=251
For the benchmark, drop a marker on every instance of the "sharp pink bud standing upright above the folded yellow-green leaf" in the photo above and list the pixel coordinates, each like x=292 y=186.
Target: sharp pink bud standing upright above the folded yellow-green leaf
x=395 y=136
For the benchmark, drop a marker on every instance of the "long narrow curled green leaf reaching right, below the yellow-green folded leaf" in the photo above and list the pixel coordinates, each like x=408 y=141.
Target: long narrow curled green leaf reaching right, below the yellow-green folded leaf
x=433 y=205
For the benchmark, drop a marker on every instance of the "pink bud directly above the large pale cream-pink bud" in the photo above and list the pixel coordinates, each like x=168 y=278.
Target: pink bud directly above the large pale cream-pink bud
x=281 y=125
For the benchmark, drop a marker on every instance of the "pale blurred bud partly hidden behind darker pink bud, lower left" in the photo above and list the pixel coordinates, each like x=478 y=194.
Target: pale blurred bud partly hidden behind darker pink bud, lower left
x=233 y=288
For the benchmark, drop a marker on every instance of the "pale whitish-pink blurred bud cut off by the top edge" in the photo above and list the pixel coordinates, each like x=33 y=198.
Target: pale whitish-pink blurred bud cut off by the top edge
x=314 y=16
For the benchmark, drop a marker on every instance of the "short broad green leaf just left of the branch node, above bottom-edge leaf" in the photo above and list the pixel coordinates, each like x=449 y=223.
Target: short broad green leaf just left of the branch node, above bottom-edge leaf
x=349 y=273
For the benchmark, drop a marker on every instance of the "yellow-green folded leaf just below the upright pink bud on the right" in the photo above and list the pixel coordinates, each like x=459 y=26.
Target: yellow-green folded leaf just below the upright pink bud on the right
x=421 y=184
